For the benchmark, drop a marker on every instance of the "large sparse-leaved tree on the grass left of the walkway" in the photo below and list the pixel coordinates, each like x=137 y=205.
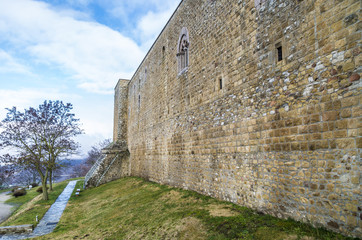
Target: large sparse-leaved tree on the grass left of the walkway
x=38 y=138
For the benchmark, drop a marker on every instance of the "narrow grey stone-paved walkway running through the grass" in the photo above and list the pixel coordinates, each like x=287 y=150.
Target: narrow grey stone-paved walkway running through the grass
x=51 y=217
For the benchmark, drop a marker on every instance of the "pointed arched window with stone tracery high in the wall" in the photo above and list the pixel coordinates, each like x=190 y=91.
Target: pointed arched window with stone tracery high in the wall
x=183 y=50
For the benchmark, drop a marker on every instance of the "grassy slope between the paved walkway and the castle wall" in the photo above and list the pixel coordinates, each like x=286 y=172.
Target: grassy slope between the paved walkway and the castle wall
x=131 y=208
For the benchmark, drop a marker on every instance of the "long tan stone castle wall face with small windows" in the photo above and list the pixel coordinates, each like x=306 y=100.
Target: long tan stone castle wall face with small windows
x=239 y=124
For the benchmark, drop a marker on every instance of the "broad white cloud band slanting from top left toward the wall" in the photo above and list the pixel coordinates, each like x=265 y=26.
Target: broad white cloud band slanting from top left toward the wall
x=91 y=53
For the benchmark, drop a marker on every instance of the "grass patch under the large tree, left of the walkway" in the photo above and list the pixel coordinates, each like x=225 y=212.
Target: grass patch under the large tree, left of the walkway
x=32 y=205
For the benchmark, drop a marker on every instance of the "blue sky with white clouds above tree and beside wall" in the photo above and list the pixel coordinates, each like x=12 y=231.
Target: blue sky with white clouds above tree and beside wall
x=75 y=51
